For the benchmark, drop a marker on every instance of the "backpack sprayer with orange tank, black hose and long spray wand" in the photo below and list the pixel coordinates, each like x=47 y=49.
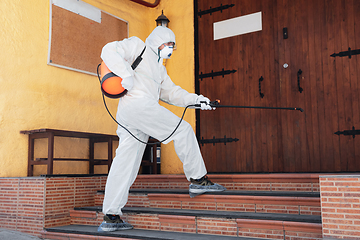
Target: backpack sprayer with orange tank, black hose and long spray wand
x=111 y=87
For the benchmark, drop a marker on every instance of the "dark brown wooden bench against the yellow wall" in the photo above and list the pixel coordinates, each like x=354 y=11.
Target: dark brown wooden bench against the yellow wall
x=93 y=138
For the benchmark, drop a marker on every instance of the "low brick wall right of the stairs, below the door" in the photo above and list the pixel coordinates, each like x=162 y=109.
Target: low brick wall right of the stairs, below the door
x=340 y=205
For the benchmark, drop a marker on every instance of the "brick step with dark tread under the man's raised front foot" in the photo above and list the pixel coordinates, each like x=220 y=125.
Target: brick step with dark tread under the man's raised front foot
x=300 y=203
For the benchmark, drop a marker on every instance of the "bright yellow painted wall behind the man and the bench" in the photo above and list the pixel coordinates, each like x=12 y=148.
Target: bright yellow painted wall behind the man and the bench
x=35 y=95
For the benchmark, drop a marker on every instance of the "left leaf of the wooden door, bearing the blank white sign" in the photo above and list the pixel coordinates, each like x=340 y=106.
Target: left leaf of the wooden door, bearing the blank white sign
x=247 y=55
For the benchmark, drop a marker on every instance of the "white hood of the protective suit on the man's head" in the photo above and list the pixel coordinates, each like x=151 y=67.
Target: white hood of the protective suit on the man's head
x=159 y=36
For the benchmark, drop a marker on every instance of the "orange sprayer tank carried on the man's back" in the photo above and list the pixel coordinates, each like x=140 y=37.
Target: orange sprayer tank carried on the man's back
x=111 y=83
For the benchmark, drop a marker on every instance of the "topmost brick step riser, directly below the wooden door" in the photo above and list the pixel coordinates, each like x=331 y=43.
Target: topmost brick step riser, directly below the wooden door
x=245 y=182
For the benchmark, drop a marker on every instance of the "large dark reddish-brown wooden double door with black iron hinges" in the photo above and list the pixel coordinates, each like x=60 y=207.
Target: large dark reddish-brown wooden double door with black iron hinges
x=253 y=140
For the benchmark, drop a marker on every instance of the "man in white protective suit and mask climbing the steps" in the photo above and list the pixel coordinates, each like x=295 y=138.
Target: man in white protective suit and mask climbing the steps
x=139 y=111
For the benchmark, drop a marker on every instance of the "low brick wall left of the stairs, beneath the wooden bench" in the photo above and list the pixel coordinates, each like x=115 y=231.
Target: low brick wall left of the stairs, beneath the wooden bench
x=30 y=204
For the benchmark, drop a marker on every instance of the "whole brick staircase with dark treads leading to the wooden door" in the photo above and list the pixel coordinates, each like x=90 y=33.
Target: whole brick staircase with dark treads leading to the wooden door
x=264 y=206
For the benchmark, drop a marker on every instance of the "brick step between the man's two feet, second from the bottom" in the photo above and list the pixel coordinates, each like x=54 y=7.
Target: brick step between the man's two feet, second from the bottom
x=241 y=224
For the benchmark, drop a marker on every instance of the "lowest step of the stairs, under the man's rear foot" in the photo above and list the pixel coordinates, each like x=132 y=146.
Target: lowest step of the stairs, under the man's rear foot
x=90 y=232
